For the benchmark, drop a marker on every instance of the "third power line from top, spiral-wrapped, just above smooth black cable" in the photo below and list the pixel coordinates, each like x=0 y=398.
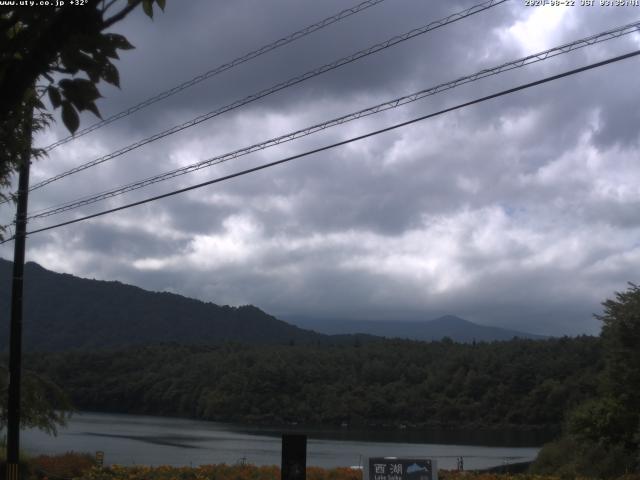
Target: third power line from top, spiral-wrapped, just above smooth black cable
x=534 y=58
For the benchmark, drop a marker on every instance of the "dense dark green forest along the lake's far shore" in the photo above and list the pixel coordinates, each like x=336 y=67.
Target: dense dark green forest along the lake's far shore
x=392 y=383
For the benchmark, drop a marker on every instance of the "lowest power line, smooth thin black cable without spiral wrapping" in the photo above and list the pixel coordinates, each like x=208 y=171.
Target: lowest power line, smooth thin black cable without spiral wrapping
x=343 y=142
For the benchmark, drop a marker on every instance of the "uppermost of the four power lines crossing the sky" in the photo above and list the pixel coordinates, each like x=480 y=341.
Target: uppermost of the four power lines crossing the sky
x=219 y=69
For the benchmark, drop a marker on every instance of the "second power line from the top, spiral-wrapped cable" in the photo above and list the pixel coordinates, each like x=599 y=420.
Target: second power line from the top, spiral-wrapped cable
x=281 y=86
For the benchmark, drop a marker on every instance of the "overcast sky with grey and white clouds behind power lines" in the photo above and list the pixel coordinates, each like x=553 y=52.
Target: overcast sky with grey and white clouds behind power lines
x=521 y=212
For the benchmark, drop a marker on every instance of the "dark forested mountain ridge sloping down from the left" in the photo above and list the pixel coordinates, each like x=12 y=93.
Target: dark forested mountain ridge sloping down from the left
x=63 y=311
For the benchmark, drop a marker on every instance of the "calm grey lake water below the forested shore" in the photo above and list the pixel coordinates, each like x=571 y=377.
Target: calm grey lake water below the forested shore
x=145 y=440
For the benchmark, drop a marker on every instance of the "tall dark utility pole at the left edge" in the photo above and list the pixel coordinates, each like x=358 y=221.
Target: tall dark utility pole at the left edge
x=15 y=337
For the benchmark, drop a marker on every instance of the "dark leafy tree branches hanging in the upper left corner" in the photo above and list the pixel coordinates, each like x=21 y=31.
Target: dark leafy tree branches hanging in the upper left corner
x=62 y=52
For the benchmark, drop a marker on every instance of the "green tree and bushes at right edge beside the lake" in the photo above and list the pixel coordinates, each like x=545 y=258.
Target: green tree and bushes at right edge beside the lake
x=601 y=437
